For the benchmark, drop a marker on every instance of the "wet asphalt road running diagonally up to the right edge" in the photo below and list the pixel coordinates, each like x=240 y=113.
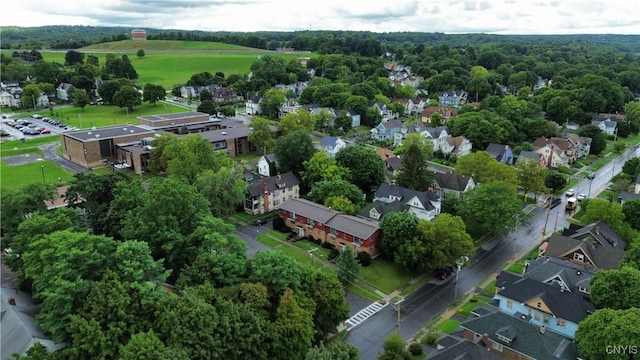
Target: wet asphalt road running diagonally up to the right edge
x=431 y=300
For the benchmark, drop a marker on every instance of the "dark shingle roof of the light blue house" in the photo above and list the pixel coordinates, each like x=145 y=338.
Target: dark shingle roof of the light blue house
x=565 y=304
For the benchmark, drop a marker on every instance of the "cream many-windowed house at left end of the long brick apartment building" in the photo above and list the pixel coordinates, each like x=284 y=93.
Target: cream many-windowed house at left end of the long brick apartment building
x=268 y=194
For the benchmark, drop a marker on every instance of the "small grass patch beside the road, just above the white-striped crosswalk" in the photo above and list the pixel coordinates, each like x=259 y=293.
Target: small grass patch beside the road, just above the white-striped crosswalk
x=384 y=275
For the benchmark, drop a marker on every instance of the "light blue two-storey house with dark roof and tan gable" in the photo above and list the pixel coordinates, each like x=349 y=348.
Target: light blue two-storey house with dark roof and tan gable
x=542 y=304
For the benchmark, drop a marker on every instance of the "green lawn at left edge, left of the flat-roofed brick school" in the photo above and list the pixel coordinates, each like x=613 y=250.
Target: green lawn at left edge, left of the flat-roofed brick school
x=14 y=177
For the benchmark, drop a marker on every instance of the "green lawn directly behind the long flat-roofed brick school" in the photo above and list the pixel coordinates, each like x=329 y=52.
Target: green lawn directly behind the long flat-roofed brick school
x=106 y=115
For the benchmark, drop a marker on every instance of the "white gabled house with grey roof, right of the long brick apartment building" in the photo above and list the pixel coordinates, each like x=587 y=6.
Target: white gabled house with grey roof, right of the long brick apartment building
x=425 y=205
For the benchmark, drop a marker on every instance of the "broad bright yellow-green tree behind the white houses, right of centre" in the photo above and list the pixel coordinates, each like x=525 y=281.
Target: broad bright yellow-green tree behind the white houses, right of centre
x=485 y=169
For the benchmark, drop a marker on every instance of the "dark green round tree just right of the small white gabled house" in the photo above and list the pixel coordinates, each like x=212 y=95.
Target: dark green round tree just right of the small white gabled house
x=292 y=150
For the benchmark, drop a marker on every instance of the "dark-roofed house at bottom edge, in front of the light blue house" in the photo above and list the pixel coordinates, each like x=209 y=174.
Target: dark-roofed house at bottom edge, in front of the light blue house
x=513 y=338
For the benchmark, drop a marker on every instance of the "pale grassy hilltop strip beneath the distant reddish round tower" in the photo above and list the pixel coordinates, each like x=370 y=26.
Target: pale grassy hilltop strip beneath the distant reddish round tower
x=169 y=45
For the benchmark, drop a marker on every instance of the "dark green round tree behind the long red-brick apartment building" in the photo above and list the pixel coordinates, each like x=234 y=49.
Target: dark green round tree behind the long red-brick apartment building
x=367 y=169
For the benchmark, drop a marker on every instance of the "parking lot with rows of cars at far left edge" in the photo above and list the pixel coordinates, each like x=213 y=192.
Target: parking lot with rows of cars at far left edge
x=32 y=127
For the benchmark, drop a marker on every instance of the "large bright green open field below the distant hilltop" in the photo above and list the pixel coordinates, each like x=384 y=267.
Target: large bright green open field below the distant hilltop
x=177 y=66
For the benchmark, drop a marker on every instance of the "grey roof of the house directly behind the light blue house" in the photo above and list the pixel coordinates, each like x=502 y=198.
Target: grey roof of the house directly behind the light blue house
x=548 y=270
